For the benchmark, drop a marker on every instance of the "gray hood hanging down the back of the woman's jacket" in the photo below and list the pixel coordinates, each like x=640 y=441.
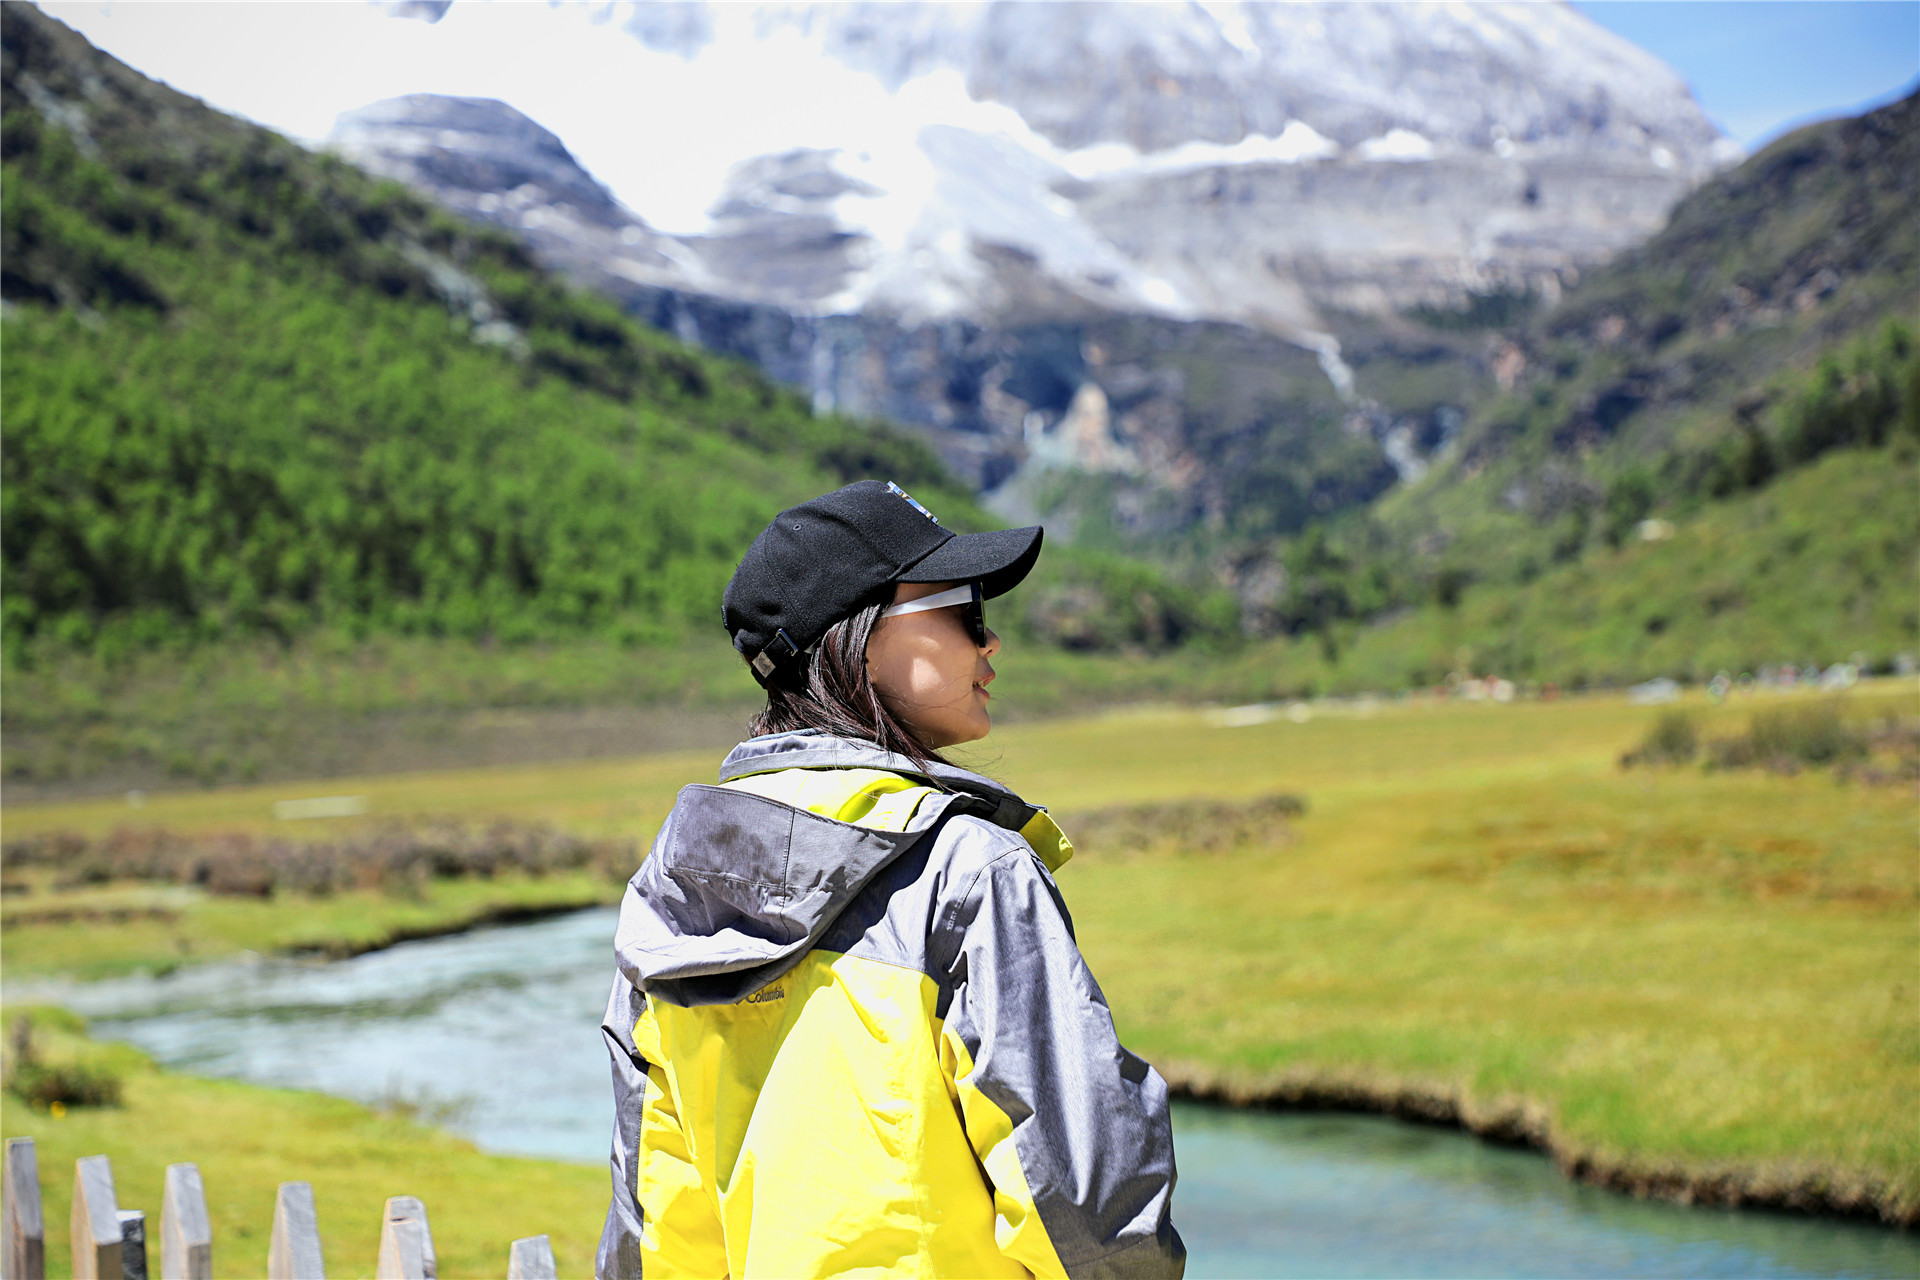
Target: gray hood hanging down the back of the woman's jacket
x=740 y=888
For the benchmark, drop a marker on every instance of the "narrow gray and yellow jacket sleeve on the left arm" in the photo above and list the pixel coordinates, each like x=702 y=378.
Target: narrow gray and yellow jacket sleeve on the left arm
x=661 y=1221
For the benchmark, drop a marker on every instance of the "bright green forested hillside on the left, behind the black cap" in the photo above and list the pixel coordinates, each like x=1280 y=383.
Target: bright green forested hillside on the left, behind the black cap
x=251 y=391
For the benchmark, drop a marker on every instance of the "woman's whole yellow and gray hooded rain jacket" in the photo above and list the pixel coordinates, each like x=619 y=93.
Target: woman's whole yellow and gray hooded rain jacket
x=853 y=1033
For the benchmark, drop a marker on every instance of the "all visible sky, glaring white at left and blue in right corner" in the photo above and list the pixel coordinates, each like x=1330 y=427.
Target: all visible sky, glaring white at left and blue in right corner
x=1756 y=66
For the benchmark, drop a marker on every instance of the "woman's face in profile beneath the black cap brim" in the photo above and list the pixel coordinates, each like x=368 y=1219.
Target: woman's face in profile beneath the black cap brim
x=930 y=673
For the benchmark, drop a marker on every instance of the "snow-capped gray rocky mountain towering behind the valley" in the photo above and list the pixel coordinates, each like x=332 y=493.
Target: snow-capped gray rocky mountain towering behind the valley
x=1036 y=164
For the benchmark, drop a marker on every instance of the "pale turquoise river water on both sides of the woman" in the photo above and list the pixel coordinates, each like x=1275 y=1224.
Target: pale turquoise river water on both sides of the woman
x=500 y=1031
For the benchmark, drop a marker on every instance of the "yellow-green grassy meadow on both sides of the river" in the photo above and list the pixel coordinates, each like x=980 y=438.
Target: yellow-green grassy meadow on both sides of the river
x=1668 y=976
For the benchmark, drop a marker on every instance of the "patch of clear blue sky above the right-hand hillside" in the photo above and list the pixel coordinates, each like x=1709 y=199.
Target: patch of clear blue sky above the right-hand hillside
x=1765 y=66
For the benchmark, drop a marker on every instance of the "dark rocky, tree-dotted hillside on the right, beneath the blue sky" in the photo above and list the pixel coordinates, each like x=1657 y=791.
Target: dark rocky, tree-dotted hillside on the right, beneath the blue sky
x=1769 y=325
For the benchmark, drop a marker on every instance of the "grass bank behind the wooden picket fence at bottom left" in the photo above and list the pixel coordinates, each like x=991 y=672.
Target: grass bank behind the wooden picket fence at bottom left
x=249 y=1141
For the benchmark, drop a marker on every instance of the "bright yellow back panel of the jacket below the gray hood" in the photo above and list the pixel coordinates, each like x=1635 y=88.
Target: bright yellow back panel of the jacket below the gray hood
x=819 y=1112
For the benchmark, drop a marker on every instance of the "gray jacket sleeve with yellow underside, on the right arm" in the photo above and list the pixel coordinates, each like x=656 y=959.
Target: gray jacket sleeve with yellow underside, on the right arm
x=1070 y=1127
